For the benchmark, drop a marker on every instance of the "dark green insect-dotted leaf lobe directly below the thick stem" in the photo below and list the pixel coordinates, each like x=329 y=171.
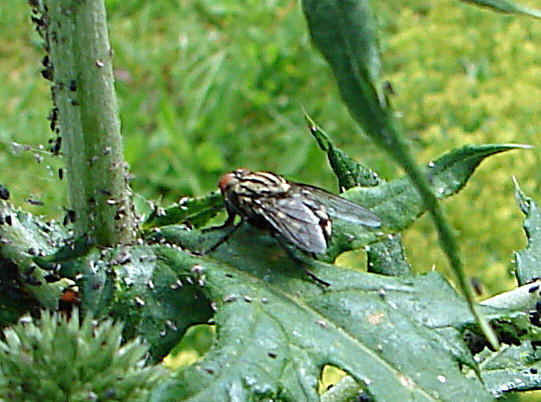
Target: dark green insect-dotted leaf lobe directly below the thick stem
x=134 y=285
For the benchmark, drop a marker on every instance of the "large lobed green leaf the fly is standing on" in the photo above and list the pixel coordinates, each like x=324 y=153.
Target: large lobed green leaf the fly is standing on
x=276 y=328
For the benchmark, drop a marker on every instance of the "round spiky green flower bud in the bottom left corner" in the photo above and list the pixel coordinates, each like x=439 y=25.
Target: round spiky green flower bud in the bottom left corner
x=59 y=359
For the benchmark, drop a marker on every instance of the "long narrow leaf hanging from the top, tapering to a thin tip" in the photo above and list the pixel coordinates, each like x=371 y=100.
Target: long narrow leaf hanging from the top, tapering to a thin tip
x=345 y=33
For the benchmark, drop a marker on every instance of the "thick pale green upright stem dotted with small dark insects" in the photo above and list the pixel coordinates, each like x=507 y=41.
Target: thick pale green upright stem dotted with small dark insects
x=83 y=92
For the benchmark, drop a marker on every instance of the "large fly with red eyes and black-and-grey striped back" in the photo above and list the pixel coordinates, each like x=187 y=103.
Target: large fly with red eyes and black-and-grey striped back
x=298 y=213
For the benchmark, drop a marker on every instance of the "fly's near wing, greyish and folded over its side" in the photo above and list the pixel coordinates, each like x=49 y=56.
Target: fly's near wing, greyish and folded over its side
x=298 y=222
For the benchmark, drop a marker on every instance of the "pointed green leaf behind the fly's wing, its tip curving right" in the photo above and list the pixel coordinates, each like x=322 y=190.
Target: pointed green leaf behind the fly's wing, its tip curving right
x=398 y=204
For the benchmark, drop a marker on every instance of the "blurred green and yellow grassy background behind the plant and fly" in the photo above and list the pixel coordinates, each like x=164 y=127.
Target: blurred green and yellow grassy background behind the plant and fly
x=210 y=85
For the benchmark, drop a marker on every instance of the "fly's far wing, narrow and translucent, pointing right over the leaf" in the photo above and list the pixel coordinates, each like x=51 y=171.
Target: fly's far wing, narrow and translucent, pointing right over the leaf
x=341 y=208
